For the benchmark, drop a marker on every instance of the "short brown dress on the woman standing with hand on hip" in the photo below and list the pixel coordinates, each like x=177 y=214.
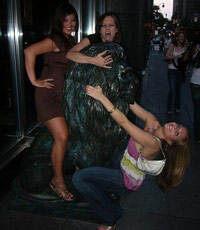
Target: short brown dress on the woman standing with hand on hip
x=49 y=101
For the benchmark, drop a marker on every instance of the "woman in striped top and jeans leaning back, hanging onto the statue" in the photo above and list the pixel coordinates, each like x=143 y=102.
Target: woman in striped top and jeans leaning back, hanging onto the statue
x=139 y=158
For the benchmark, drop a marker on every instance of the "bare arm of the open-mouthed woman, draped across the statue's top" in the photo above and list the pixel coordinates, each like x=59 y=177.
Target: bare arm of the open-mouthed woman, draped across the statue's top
x=75 y=55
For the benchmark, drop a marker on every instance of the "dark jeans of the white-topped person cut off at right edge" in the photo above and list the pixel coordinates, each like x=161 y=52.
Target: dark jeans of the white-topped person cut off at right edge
x=195 y=91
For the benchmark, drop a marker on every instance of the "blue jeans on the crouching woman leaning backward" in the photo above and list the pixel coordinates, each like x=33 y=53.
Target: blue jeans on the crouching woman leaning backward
x=95 y=184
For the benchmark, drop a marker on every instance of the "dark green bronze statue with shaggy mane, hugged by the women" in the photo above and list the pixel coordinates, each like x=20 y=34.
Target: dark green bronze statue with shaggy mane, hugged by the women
x=93 y=134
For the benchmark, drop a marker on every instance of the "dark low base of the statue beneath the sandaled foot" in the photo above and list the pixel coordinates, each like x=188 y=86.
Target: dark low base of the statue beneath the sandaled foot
x=47 y=203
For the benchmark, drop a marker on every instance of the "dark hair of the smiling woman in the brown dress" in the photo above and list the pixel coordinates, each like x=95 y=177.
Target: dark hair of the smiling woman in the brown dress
x=61 y=12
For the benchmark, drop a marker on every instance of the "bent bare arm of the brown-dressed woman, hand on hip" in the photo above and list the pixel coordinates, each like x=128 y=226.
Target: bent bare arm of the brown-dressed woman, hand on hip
x=31 y=53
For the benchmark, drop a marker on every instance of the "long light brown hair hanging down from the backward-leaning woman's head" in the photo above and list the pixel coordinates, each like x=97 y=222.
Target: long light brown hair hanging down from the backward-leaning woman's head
x=177 y=160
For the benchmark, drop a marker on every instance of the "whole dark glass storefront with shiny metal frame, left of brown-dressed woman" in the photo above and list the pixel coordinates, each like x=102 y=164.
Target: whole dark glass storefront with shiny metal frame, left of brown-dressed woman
x=22 y=23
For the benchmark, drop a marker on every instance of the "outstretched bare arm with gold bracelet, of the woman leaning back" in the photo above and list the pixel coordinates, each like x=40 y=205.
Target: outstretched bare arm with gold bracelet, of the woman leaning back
x=139 y=135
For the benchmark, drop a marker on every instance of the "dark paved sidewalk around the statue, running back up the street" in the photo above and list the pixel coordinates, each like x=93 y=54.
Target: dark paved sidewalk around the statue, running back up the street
x=149 y=208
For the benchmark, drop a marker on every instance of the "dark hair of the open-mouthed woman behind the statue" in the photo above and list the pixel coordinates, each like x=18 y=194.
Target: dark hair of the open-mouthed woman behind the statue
x=118 y=36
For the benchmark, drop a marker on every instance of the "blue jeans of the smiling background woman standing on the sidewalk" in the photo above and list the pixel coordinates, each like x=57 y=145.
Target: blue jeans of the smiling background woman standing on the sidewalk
x=174 y=95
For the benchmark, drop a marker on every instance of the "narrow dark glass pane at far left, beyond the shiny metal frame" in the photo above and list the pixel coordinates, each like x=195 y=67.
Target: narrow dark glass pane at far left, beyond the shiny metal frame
x=8 y=128
